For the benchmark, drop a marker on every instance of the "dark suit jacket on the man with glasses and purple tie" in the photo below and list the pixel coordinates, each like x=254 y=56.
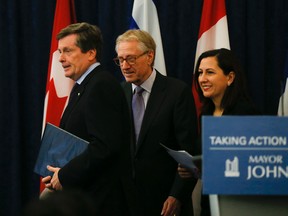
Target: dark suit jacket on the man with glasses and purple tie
x=170 y=118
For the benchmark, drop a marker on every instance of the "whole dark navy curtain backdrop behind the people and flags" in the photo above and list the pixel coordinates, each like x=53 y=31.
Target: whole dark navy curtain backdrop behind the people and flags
x=258 y=35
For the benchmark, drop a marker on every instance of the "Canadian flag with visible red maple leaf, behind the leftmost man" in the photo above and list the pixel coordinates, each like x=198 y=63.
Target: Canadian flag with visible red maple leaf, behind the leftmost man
x=58 y=87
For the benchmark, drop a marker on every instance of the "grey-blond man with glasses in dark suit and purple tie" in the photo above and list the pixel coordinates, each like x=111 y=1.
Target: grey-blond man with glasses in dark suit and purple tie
x=169 y=118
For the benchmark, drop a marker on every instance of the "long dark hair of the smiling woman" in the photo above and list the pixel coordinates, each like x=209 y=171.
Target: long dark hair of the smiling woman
x=228 y=62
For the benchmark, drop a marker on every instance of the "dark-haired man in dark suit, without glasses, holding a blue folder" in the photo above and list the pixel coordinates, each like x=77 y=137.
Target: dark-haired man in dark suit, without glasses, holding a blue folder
x=97 y=112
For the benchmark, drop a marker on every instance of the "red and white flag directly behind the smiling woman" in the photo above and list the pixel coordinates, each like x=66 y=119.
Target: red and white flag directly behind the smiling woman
x=213 y=33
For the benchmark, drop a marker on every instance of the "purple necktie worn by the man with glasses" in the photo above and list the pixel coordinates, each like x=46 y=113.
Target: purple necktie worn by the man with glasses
x=138 y=108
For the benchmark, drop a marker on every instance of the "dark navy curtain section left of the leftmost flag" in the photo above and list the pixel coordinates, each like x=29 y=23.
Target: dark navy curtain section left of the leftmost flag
x=25 y=31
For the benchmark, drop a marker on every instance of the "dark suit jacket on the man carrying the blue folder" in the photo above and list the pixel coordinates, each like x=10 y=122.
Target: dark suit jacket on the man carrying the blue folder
x=99 y=115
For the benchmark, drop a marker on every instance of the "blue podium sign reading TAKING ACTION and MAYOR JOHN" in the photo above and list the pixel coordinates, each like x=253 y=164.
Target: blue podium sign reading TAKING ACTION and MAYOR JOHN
x=245 y=155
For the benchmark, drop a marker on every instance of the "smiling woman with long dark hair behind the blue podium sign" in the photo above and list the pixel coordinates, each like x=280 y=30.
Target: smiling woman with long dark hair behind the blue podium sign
x=221 y=87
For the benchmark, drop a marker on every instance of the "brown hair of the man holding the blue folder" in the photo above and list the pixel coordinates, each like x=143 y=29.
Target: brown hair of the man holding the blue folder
x=89 y=37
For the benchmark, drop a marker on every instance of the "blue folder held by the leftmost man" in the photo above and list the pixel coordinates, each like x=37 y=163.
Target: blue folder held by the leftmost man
x=57 y=148
